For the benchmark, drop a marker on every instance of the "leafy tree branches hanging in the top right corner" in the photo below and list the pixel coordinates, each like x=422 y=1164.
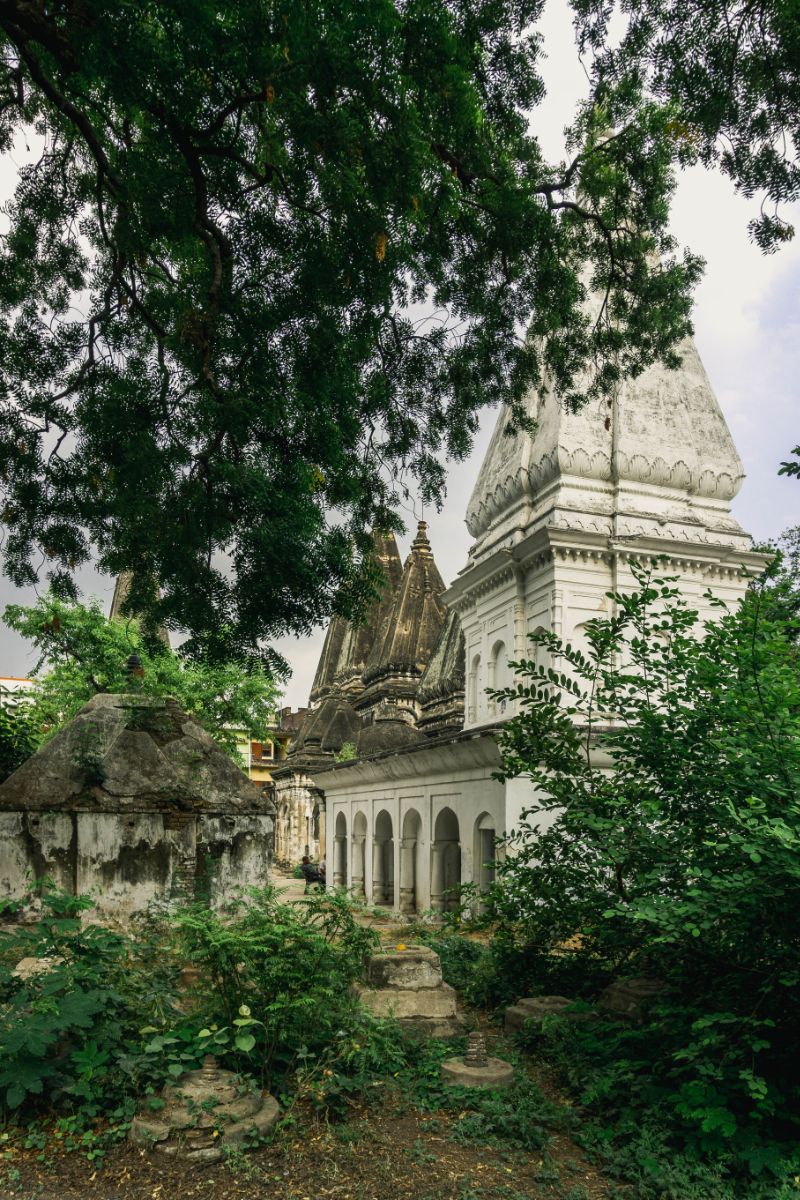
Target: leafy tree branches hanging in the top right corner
x=732 y=68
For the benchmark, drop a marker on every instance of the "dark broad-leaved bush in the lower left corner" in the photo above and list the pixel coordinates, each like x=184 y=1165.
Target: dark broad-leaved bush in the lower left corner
x=70 y=1034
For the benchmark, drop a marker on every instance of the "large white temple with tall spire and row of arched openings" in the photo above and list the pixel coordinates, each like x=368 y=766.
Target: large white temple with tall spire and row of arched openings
x=557 y=518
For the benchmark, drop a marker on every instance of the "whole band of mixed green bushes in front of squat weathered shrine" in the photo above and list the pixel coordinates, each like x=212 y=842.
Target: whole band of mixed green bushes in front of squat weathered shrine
x=103 y=1027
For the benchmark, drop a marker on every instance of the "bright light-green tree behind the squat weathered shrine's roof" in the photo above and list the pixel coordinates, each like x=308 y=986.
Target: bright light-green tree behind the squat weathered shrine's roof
x=82 y=652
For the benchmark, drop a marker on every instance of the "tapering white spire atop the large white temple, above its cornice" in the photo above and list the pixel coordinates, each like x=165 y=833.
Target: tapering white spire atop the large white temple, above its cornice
x=658 y=460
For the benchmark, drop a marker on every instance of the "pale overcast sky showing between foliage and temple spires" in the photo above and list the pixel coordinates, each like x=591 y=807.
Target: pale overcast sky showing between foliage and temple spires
x=748 y=331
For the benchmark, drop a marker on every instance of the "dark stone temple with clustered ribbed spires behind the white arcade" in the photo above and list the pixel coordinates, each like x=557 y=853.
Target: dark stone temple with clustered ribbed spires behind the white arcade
x=393 y=682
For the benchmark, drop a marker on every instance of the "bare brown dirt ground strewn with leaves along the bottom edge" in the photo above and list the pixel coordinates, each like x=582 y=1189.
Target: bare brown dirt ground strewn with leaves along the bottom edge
x=390 y=1153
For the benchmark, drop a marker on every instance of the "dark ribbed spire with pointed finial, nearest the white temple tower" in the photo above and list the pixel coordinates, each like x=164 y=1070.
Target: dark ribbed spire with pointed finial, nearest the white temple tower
x=416 y=620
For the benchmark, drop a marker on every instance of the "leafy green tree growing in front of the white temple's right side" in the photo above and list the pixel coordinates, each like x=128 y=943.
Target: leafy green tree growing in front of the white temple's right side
x=665 y=842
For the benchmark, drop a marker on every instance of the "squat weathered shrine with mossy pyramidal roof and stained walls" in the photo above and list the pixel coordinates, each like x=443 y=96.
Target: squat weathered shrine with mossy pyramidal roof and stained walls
x=134 y=802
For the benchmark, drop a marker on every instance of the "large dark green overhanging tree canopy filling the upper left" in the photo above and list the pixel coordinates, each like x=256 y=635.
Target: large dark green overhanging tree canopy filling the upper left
x=214 y=367
